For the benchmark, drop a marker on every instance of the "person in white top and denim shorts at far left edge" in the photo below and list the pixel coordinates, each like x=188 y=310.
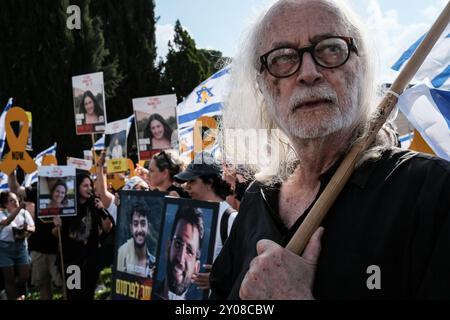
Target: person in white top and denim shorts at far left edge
x=16 y=224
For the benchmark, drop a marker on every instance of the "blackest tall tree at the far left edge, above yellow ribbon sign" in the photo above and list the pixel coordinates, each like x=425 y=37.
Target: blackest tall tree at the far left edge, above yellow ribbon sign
x=35 y=65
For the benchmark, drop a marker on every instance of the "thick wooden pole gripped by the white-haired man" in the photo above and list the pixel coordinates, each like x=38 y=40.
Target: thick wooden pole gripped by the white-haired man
x=318 y=212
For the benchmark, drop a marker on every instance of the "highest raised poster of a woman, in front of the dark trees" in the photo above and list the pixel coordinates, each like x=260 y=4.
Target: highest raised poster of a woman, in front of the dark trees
x=89 y=103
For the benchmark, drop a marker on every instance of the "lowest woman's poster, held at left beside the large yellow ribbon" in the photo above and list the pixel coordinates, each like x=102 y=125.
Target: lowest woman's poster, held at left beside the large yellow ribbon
x=56 y=191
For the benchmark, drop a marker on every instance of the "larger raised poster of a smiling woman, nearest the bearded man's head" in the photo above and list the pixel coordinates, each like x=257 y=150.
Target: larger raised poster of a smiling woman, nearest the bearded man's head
x=155 y=124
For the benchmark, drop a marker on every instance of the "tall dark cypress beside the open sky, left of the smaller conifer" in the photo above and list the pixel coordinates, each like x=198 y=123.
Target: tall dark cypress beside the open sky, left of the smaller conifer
x=129 y=31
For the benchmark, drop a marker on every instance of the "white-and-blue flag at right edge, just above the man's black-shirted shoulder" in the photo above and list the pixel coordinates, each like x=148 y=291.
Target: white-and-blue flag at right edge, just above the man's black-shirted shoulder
x=428 y=110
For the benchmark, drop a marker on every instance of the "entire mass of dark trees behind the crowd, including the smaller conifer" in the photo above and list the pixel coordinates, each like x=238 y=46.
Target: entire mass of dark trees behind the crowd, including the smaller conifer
x=39 y=55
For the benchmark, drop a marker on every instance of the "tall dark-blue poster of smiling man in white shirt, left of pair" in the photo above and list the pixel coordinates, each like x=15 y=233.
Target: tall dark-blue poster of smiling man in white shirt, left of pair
x=138 y=227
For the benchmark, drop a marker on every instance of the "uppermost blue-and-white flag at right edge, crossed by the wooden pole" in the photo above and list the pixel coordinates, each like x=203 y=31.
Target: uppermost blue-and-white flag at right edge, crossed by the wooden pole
x=436 y=66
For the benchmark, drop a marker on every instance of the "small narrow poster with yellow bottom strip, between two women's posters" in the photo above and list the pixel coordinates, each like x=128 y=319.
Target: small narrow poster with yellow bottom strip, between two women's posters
x=116 y=146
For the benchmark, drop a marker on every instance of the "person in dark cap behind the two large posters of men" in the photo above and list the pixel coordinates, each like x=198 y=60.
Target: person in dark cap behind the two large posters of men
x=203 y=181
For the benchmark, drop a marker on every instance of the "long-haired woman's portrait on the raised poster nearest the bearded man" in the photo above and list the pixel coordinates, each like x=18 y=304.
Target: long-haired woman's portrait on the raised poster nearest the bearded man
x=159 y=132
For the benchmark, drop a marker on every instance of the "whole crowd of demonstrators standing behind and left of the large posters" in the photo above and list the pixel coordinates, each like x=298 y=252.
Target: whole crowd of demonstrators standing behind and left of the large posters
x=88 y=239
